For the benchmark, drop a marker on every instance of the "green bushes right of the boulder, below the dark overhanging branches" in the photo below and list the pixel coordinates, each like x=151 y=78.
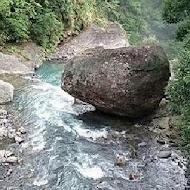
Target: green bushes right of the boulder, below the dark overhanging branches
x=179 y=91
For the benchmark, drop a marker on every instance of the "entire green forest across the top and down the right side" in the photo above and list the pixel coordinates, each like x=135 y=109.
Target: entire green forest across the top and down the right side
x=48 y=22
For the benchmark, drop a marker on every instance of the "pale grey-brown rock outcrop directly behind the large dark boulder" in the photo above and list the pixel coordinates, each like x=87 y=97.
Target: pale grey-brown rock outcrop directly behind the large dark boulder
x=109 y=37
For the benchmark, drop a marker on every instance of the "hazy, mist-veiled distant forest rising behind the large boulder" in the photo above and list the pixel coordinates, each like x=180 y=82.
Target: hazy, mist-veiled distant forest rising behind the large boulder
x=143 y=22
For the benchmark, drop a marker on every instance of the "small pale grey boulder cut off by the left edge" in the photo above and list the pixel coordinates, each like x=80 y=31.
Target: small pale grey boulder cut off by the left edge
x=6 y=92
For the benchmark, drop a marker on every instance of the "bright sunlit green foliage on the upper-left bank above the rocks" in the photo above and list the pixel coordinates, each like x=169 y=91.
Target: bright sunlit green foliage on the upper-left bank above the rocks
x=49 y=21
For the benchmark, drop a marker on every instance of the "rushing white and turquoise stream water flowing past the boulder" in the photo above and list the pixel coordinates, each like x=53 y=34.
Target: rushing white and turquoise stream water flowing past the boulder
x=67 y=150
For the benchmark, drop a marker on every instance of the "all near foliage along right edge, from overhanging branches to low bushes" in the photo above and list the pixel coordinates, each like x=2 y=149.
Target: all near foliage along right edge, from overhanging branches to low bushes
x=178 y=11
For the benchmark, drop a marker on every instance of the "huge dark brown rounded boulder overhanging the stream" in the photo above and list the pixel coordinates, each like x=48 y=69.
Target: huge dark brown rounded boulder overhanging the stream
x=125 y=81
